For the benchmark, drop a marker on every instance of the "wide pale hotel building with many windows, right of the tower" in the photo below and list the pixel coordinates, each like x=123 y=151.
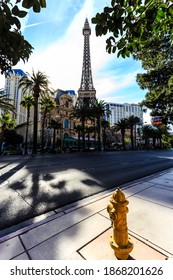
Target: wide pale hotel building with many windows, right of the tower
x=121 y=111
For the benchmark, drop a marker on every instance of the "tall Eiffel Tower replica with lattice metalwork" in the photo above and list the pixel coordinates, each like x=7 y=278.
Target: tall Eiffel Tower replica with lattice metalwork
x=86 y=92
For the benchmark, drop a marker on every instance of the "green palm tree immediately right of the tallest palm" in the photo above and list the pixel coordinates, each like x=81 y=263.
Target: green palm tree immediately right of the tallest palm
x=47 y=106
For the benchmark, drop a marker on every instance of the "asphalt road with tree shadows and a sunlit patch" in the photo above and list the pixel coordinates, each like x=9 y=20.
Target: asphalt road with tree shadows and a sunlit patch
x=32 y=185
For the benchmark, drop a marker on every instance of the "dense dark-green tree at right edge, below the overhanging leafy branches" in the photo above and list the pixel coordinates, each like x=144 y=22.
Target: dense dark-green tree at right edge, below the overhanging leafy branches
x=157 y=57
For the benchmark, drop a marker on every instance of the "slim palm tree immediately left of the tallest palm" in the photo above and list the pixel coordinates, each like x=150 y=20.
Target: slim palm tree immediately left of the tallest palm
x=27 y=102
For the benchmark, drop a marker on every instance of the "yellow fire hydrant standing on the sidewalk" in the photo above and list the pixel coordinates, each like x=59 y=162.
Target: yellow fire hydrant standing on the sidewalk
x=119 y=241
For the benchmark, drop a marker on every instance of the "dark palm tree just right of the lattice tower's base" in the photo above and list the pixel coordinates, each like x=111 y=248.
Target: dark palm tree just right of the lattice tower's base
x=99 y=108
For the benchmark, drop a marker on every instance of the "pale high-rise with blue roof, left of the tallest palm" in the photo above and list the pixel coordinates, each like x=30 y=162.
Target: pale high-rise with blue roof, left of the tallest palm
x=13 y=92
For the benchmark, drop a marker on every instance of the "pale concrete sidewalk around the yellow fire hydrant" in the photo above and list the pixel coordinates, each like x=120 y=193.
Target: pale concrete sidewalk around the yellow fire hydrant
x=81 y=231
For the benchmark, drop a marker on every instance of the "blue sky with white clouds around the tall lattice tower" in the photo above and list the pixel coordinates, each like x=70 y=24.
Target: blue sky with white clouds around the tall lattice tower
x=56 y=35
